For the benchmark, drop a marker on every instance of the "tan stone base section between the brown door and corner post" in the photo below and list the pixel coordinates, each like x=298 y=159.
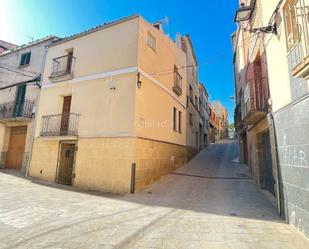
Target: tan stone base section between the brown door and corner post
x=104 y=164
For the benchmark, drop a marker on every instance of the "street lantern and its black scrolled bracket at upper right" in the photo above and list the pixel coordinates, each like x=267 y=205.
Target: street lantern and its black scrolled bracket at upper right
x=244 y=13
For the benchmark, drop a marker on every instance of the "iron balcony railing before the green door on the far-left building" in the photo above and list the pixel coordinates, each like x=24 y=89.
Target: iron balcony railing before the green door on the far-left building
x=17 y=109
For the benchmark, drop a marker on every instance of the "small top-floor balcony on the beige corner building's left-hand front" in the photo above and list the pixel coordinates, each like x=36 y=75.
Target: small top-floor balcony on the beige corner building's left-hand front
x=62 y=68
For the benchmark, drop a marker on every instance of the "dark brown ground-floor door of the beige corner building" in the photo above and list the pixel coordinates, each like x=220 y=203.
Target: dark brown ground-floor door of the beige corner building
x=66 y=163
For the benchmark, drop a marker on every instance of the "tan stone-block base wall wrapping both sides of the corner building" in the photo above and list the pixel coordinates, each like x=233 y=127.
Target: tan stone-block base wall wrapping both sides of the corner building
x=105 y=163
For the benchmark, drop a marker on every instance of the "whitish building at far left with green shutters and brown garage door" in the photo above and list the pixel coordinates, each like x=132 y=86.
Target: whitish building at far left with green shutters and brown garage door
x=20 y=70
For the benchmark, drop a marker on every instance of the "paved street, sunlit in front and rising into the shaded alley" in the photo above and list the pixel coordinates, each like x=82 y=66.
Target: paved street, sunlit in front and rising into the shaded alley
x=209 y=203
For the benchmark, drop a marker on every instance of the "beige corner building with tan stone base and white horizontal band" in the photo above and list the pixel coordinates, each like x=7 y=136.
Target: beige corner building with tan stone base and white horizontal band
x=112 y=111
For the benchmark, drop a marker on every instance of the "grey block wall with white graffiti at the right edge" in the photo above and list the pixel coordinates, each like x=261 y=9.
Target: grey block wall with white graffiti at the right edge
x=292 y=134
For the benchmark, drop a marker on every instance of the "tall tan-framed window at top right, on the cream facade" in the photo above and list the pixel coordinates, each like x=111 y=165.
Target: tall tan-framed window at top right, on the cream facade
x=291 y=25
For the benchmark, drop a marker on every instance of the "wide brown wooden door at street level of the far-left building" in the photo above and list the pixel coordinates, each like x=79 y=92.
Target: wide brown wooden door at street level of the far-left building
x=15 y=154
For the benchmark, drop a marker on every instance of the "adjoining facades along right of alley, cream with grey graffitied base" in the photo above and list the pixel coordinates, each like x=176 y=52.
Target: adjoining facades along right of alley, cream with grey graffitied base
x=271 y=78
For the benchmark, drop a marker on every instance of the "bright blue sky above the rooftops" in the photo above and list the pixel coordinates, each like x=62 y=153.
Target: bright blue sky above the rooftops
x=209 y=23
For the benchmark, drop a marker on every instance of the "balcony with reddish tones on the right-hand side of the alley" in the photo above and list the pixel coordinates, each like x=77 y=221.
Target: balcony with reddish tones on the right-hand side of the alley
x=255 y=101
